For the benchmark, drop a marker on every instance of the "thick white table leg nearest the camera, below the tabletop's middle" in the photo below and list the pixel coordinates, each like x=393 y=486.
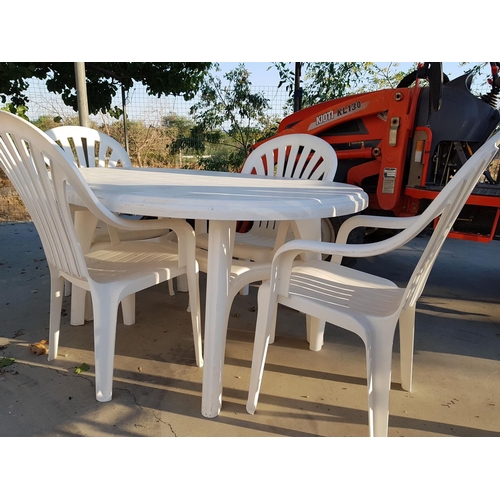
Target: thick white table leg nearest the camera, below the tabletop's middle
x=220 y=251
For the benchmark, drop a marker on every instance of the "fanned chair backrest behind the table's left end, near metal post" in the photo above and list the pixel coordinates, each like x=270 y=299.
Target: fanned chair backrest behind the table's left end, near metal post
x=89 y=147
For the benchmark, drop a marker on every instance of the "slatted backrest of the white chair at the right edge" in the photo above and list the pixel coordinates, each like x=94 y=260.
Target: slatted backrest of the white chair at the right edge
x=447 y=206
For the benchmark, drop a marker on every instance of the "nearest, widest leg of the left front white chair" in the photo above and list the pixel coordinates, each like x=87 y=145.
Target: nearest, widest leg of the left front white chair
x=105 y=304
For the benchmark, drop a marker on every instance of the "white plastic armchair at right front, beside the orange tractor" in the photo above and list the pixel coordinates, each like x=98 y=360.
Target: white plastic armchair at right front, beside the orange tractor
x=365 y=304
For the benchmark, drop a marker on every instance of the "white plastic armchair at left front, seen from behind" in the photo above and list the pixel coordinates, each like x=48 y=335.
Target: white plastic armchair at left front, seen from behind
x=40 y=171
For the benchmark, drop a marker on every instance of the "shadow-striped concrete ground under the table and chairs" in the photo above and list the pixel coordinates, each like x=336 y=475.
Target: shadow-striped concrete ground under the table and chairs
x=157 y=387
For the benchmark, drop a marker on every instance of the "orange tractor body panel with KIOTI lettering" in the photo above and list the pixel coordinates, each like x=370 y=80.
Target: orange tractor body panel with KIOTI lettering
x=388 y=117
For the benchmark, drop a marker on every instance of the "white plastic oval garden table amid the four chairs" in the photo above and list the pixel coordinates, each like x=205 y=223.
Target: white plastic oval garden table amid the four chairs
x=221 y=198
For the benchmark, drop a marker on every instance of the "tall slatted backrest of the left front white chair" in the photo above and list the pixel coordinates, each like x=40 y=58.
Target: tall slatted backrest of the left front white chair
x=40 y=172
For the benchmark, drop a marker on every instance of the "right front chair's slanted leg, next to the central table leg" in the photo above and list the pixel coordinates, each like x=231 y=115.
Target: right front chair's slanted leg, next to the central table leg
x=266 y=323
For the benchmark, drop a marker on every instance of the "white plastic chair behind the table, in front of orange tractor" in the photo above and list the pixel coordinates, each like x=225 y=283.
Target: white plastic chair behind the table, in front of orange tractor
x=299 y=156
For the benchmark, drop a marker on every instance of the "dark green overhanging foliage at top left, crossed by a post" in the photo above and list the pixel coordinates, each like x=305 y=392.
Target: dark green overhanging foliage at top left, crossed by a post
x=104 y=80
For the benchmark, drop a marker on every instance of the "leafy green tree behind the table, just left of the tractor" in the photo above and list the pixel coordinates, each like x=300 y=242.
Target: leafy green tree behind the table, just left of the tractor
x=230 y=114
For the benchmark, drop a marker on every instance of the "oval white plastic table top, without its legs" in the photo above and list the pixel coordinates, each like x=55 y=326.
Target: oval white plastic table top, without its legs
x=209 y=195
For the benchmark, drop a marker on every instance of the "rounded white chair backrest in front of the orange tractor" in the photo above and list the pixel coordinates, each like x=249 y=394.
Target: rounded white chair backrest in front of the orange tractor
x=302 y=156
